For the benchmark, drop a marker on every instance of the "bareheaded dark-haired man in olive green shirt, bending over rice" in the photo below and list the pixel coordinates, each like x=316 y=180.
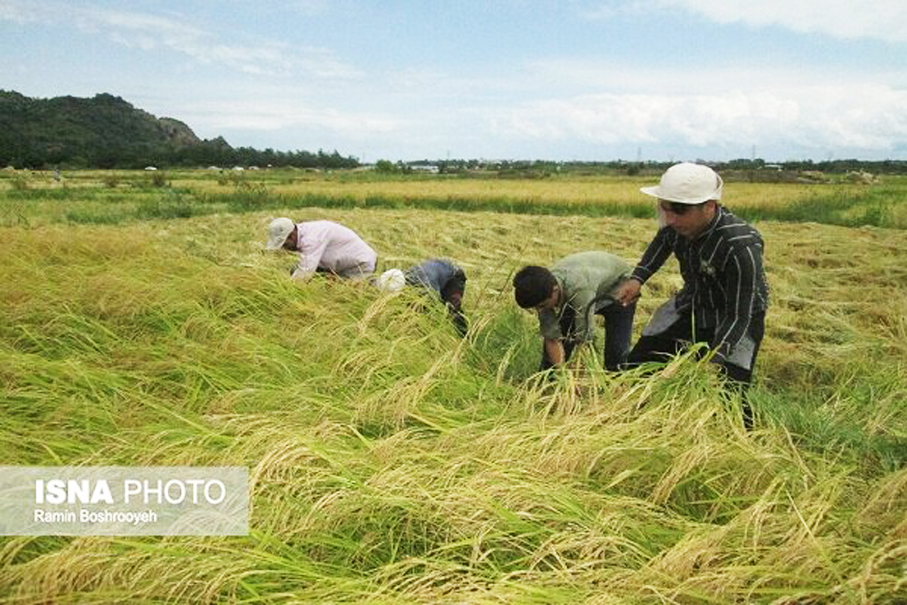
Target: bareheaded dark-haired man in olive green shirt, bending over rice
x=568 y=296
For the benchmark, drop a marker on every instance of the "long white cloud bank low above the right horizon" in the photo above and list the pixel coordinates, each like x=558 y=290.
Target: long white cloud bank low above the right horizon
x=830 y=117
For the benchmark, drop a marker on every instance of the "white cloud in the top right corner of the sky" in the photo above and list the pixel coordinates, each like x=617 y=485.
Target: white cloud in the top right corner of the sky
x=846 y=19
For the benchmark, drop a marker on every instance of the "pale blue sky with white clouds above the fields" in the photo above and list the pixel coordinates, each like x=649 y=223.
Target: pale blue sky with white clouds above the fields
x=583 y=80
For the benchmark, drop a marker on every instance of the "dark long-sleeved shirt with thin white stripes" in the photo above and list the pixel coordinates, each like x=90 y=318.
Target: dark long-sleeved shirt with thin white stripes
x=724 y=282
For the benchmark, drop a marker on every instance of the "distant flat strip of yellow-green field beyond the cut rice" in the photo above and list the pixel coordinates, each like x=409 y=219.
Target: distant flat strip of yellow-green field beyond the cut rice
x=97 y=197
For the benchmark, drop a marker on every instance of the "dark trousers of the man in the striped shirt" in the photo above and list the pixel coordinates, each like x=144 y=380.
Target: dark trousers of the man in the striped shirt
x=679 y=335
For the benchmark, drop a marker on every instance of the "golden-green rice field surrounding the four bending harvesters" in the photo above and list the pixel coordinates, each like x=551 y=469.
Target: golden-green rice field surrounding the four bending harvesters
x=389 y=460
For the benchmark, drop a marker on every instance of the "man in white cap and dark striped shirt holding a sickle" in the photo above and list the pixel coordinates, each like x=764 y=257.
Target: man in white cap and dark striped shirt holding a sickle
x=724 y=296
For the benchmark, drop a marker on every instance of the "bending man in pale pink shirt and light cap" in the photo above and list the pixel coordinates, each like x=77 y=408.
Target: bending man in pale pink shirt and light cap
x=324 y=246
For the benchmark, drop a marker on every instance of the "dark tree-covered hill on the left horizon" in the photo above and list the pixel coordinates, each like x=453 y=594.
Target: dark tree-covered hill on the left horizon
x=106 y=131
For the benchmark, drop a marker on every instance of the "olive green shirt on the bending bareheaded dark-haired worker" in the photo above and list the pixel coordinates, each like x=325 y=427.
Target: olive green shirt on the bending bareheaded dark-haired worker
x=582 y=277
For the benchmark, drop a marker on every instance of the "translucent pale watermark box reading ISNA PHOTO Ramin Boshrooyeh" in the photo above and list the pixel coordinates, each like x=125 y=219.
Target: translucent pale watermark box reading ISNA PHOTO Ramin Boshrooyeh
x=124 y=501
